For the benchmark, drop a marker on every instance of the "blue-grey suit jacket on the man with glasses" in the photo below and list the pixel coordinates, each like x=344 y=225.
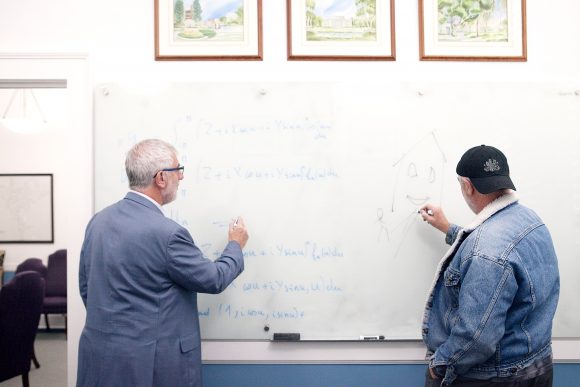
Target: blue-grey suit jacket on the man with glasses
x=139 y=276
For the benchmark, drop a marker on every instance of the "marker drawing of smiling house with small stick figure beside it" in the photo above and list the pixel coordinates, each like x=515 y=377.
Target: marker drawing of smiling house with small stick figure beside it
x=419 y=180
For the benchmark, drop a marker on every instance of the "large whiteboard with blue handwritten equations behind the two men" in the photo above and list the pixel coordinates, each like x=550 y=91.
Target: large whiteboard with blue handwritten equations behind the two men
x=328 y=177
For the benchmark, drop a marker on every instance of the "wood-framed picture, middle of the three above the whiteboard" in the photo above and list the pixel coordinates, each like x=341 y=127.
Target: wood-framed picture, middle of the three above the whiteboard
x=341 y=29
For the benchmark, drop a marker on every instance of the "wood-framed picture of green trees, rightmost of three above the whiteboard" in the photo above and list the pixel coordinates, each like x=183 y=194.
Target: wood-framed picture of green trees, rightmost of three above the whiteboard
x=478 y=30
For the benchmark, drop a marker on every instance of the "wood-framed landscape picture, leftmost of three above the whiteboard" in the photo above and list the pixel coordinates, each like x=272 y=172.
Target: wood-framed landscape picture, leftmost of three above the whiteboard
x=208 y=30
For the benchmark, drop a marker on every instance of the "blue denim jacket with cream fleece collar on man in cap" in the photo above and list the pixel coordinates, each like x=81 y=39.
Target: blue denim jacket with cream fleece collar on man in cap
x=490 y=309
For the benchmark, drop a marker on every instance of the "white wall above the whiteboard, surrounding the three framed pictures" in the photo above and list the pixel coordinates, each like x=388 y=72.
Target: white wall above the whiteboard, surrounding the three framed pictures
x=119 y=38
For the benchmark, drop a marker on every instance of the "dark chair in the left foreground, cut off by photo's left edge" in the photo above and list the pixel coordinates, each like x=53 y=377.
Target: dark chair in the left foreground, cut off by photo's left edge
x=20 y=308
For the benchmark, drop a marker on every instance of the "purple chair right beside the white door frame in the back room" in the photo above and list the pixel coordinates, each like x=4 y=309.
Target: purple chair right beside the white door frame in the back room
x=55 y=292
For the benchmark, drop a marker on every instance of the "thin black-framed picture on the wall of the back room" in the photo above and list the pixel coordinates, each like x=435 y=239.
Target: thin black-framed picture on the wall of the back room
x=26 y=208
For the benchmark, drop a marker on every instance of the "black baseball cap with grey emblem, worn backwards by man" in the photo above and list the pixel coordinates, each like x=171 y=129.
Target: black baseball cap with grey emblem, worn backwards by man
x=487 y=168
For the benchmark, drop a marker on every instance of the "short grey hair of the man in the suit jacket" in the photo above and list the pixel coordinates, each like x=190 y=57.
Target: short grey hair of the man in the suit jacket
x=145 y=159
